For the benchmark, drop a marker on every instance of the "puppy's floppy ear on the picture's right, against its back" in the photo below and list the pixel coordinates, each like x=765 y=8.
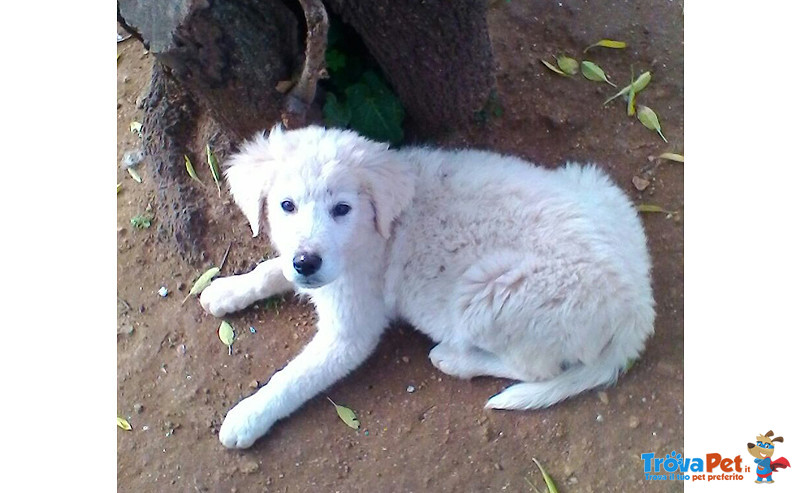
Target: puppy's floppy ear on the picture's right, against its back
x=389 y=181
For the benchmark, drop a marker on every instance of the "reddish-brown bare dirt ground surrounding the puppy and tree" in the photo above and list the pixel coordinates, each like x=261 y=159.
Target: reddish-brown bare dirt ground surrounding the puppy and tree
x=176 y=380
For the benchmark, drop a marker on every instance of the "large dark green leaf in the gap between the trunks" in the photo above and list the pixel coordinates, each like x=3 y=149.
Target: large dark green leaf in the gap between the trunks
x=375 y=111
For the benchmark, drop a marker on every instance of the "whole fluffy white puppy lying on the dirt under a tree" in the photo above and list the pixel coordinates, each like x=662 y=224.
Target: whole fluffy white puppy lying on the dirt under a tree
x=516 y=271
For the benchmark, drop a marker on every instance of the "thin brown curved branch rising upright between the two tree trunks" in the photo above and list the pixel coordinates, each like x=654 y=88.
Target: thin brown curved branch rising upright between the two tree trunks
x=301 y=96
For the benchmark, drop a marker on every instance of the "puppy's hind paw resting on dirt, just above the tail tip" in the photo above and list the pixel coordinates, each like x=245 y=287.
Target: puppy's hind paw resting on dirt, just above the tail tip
x=470 y=362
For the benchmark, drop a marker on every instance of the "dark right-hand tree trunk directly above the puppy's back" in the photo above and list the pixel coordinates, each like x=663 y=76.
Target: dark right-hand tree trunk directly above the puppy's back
x=436 y=54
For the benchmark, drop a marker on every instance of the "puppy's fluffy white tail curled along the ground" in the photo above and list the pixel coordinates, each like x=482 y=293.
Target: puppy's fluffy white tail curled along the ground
x=613 y=360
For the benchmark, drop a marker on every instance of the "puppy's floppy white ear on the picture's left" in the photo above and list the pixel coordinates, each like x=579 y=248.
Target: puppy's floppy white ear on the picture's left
x=250 y=173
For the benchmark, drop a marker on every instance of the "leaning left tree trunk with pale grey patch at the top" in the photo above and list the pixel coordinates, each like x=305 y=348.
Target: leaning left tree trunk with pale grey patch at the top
x=230 y=54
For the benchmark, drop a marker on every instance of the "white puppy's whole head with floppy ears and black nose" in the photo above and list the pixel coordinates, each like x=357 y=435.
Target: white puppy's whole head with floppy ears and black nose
x=323 y=191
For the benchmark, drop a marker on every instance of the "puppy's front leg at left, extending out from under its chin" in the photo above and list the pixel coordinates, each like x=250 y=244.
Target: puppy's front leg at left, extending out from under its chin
x=233 y=293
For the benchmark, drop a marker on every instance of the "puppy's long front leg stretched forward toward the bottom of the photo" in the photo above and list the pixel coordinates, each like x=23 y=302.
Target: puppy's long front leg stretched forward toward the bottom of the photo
x=329 y=356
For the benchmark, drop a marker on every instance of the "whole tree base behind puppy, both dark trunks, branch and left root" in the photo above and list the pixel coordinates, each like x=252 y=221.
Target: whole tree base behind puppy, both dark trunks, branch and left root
x=222 y=60
